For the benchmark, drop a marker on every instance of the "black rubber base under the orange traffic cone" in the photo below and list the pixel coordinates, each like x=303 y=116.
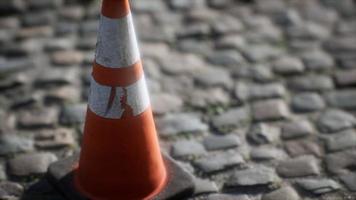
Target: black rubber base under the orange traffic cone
x=180 y=183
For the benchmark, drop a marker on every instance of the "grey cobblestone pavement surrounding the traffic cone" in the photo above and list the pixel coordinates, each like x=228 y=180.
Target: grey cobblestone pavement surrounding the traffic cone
x=257 y=98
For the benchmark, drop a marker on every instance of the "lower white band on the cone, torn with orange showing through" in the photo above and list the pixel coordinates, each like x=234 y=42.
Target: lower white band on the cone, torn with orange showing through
x=136 y=97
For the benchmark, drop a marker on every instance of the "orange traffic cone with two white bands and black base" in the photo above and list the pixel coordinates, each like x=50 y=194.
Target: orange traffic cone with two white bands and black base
x=120 y=156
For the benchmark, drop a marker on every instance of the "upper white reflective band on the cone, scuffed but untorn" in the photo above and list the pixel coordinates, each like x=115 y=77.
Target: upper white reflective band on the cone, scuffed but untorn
x=117 y=44
